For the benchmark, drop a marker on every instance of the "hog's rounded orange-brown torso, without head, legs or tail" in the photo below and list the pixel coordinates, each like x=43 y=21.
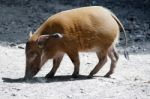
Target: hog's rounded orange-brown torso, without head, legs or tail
x=89 y=27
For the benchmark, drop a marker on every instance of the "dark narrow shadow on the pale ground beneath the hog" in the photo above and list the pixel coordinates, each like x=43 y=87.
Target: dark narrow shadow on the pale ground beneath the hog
x=43 y=80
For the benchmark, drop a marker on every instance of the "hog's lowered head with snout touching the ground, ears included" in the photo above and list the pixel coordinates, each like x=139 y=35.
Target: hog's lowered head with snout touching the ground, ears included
x=38 y=52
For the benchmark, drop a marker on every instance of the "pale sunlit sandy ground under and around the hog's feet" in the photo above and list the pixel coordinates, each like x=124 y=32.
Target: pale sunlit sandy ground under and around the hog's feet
x=131 y=79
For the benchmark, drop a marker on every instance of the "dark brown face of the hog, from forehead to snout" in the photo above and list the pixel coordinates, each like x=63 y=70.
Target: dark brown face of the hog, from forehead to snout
x=33 y=58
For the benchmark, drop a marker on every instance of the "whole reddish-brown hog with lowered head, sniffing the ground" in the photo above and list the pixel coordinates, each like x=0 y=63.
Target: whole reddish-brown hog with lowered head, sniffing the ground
x=93 y=28
